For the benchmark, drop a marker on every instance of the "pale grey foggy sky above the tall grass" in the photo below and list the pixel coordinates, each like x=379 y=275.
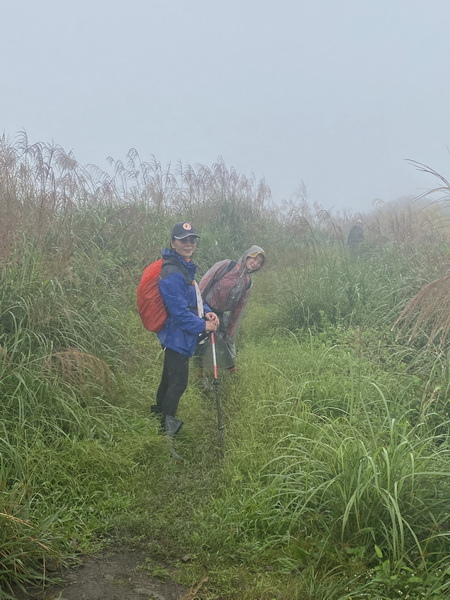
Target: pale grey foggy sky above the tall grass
x=332 y=93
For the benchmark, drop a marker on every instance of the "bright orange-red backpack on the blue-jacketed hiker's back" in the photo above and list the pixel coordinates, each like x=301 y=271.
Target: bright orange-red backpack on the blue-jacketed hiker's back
x=149 y=302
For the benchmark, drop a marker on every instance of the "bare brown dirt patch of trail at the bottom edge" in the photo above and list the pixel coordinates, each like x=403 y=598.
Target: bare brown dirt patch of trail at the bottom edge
x=112 y=575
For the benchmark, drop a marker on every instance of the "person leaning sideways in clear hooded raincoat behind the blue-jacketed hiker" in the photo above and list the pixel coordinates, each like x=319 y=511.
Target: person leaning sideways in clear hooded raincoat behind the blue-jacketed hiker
x=226 y=287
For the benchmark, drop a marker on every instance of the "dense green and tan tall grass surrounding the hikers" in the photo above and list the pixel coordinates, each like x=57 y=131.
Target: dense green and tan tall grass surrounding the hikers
x=335 y=481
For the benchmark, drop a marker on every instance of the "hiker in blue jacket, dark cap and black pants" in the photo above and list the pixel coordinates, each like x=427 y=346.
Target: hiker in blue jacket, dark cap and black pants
x=188 y=318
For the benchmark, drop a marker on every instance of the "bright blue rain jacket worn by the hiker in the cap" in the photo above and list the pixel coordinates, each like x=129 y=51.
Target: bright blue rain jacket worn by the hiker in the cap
x=183 y=326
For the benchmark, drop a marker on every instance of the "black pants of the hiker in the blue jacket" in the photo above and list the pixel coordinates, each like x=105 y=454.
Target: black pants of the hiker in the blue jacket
x=174 y=382
